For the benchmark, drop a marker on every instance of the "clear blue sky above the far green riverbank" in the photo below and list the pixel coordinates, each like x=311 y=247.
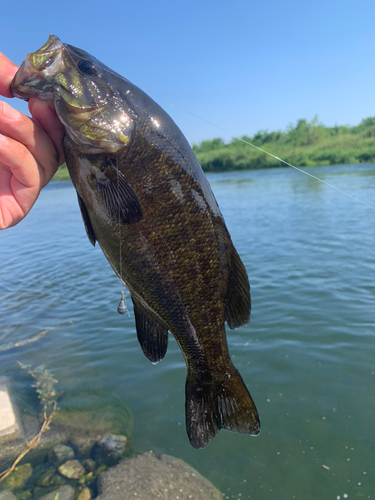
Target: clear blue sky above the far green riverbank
x=242 y=65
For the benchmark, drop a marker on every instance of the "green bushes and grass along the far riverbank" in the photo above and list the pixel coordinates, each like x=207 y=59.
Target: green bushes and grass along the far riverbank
x=306 y=144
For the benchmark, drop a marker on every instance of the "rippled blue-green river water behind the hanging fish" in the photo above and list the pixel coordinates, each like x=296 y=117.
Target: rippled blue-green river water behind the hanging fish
x=308 y=355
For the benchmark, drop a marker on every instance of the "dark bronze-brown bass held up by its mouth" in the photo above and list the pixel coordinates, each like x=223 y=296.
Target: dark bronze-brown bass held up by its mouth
x=144 y=198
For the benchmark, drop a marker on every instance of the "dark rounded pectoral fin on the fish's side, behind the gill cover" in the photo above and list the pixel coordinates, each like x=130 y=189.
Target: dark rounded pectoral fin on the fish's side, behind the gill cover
x=116 y=196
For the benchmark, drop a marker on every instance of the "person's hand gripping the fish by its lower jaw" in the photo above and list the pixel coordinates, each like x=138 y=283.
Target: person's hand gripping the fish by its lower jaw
x=30 y=151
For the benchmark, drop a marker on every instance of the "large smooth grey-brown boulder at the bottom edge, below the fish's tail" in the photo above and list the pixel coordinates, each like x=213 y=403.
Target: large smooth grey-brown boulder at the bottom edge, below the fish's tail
x=148 y=477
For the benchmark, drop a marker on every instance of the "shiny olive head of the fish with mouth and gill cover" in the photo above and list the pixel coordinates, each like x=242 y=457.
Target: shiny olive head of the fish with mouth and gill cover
x=84 y=91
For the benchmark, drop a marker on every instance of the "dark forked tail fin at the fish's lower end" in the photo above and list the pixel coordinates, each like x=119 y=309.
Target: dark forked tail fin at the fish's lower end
x=224 y=404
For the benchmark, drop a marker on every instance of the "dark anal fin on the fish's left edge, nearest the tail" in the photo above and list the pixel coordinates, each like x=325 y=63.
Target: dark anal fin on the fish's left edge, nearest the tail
x=152 y=336
